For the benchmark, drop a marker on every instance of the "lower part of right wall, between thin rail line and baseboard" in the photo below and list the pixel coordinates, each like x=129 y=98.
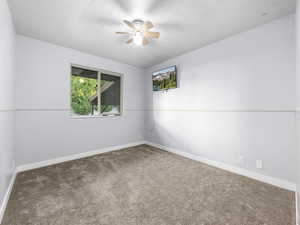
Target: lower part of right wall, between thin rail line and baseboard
x=235 y=138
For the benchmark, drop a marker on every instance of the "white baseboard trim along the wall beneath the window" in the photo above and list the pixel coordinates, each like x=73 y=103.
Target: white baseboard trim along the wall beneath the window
x=36 y=165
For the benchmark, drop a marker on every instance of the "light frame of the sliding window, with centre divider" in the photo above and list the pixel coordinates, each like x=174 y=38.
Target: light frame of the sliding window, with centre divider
x=99 y=72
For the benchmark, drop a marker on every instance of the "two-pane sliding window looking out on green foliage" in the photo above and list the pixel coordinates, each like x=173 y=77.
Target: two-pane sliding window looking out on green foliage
x=95 y=92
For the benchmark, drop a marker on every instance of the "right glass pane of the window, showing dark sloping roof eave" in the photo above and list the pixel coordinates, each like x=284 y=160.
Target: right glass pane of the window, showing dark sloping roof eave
x=110 y=94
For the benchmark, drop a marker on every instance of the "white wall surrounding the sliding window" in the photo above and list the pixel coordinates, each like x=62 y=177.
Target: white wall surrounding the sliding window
x=45 y=129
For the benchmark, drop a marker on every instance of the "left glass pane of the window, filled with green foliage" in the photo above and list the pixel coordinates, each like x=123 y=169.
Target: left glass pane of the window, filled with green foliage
x=84 y=96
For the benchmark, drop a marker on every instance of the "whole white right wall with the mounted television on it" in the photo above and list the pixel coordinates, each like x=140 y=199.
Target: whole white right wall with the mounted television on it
x=235 y=98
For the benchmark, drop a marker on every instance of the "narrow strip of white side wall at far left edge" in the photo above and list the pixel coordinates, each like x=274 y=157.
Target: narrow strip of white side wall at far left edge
x=7 y=127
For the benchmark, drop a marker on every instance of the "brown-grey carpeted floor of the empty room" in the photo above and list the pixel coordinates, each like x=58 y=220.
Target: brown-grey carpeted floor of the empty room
x=144 y=186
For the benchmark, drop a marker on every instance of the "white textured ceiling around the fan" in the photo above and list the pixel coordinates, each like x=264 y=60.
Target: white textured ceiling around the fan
x=185 y=25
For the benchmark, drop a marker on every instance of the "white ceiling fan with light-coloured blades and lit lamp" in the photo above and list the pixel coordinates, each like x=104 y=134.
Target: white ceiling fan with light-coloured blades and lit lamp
x=140 y=32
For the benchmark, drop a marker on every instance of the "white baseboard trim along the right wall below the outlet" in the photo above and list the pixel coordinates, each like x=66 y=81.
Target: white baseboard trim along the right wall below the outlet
x=244 y=172
